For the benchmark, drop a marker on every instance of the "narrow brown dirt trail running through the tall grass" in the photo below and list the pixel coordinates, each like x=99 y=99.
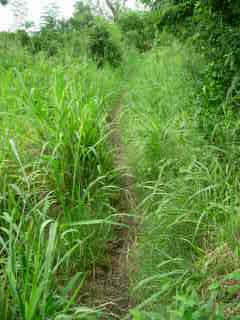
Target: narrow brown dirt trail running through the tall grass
x=109 y=285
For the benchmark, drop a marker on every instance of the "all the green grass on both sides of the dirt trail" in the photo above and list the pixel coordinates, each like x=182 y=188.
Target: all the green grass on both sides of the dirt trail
x=59 y=187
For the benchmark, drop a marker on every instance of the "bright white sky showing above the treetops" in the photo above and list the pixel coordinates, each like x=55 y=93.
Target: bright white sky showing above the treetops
x=35 y=9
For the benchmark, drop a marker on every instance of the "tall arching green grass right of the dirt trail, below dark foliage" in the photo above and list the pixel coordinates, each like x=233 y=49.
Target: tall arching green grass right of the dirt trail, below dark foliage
x=189 y=222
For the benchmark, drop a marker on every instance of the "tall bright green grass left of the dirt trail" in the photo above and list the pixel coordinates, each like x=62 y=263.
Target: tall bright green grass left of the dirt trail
x=58 y=184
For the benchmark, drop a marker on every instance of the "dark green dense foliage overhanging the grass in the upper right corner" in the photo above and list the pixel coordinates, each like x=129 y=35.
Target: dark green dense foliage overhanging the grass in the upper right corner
x=213 y=26
